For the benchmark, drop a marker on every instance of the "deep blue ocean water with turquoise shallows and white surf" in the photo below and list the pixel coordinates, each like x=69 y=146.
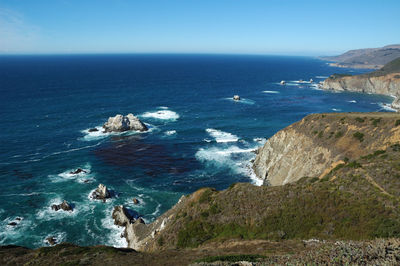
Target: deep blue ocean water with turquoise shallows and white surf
x=199 y=136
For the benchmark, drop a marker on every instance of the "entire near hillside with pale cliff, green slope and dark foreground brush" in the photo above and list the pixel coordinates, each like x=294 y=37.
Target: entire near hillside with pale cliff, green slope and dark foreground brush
x=348 y=204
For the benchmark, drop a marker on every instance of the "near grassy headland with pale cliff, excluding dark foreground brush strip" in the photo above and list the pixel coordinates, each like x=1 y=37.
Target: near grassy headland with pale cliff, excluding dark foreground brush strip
x=333 y=165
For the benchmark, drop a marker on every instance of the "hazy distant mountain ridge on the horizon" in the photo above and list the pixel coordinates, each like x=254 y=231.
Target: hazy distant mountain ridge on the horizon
x=370 y=58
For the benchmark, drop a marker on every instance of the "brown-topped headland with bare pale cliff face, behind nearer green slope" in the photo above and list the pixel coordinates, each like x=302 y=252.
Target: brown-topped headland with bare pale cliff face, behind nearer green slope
x=321 y=141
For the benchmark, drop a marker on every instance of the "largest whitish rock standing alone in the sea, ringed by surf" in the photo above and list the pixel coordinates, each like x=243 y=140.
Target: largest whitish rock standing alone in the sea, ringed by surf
x=120 y=123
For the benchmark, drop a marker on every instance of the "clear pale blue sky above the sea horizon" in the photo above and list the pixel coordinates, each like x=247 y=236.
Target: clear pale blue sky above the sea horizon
x=202 y=26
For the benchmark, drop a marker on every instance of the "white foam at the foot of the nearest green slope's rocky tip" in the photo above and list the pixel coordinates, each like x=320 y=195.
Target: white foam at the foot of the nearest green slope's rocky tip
x=114 y=237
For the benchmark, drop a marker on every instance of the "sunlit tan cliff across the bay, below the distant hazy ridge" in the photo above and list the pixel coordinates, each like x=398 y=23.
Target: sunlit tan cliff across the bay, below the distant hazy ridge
x=388 y=84
